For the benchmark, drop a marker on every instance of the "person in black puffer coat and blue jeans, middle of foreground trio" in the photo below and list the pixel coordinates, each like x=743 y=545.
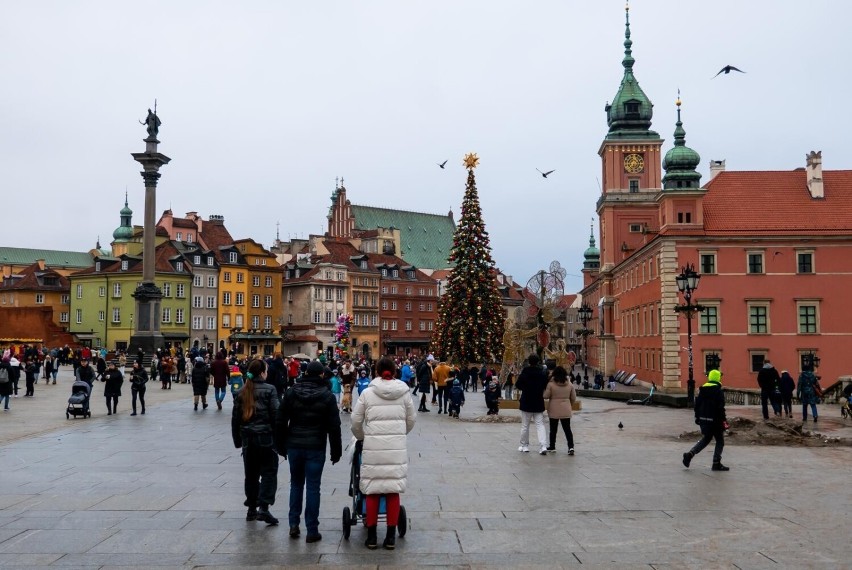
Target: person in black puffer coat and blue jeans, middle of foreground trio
x=307 y=418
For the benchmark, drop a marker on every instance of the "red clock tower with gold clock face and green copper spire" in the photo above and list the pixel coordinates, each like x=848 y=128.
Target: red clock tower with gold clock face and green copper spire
x=630 y=159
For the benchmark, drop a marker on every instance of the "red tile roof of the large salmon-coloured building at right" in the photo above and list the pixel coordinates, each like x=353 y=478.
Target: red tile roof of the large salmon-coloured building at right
x=777 y=203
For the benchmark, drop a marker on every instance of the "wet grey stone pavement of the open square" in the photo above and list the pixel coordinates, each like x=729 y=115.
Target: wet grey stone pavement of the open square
x=165 y=490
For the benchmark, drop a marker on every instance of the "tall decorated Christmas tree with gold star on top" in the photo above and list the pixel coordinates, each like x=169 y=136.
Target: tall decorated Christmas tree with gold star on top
x=470 y=315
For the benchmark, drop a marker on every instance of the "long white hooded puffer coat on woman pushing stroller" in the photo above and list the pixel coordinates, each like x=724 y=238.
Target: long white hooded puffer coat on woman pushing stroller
x=382 y=418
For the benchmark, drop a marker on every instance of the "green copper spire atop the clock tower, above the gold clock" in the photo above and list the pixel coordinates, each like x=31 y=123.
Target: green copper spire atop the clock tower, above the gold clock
x=629 y=115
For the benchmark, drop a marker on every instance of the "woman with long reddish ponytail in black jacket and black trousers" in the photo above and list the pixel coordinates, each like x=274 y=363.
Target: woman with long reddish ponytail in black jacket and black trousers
x=255 y=407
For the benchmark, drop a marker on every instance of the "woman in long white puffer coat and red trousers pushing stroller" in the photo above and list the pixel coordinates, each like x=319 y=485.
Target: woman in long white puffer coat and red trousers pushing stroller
x=382 y=418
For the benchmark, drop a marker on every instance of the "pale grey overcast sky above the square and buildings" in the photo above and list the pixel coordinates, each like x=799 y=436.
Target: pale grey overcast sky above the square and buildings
x=264 y=103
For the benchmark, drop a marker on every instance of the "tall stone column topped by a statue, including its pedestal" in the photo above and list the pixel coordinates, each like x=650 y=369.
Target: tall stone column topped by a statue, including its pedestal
x=146 y=333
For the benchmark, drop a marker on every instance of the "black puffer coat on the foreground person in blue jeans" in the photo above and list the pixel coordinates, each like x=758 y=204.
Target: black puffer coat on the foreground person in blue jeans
x=308 y=417
